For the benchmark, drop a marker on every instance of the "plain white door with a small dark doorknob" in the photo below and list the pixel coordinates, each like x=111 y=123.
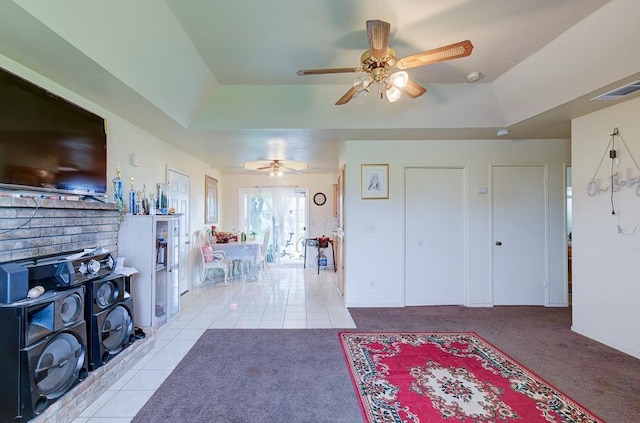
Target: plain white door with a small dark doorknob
x=519 y=235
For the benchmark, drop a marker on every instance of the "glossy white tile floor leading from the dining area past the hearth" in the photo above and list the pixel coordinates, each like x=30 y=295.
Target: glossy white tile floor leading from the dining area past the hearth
x=287 y=297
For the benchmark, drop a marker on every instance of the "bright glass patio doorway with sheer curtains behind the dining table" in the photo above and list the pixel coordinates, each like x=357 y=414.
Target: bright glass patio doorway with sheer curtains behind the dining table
x=285 y=211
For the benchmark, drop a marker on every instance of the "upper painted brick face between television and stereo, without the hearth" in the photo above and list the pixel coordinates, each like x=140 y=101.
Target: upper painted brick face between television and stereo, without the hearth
x=33 y=226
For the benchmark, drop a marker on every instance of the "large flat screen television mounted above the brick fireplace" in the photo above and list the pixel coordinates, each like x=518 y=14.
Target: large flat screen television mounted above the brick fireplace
x=48 y=143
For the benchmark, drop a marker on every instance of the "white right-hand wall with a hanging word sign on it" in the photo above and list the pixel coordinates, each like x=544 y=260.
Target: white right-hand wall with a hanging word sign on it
x=606 y=286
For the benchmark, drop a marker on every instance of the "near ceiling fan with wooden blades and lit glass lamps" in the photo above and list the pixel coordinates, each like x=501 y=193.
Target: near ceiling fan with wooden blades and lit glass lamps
x=380 y=59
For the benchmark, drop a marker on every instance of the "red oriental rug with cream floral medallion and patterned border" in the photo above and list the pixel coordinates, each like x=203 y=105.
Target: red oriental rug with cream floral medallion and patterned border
x=430 y=377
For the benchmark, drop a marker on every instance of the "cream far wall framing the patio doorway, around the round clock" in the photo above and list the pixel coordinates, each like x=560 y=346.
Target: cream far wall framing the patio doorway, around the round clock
x=321 y=220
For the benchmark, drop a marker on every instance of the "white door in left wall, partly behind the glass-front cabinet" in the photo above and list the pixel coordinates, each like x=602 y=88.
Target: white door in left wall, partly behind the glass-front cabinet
x=179 y=200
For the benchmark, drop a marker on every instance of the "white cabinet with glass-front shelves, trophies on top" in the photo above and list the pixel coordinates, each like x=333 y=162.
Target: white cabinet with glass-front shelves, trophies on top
x=150 y=244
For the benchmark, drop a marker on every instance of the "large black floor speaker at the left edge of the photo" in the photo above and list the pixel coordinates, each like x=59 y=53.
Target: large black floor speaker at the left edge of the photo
x=43 y=344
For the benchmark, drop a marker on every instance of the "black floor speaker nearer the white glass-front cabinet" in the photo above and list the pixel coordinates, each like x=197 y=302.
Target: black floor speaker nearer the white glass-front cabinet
x=109 y=314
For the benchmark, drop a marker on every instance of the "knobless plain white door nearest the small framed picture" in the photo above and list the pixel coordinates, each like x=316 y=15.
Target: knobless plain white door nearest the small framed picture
x=434 y=236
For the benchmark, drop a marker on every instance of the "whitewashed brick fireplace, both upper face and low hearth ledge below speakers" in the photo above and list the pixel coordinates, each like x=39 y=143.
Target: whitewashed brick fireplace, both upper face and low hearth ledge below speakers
x=31 y=226
